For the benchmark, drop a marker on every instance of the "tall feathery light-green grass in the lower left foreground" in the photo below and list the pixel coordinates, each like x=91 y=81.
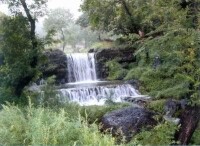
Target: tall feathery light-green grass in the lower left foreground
x=34 y=126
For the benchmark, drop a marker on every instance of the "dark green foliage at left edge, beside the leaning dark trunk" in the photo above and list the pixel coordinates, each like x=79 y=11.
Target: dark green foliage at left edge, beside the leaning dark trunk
x=17 y=51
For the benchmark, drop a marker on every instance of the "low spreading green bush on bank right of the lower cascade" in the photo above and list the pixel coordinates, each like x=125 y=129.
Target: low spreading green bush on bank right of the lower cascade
x=159 y=83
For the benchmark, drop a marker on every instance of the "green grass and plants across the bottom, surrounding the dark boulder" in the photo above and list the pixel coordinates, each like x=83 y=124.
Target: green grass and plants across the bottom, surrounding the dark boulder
x=73 y=125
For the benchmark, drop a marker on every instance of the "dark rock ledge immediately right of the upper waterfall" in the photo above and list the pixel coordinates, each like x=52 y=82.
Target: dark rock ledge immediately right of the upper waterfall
x=123 y=56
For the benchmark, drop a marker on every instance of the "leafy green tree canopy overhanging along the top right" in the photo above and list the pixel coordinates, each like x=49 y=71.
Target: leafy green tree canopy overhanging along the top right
x=126 y=16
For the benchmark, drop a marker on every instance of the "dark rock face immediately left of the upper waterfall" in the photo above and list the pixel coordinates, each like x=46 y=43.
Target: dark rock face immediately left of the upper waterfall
x=55 y=64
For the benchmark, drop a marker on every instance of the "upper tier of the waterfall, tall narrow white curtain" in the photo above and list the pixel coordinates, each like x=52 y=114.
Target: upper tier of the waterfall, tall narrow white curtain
x=81 y=67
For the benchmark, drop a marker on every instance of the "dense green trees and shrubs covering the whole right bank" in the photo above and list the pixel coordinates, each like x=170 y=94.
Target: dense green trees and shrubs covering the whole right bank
x=166 y=35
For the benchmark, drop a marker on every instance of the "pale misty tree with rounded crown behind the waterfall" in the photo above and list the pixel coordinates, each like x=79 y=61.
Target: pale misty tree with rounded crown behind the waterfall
x=59 y=20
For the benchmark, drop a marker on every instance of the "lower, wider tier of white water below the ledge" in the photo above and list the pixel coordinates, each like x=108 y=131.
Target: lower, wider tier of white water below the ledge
x=97 y=95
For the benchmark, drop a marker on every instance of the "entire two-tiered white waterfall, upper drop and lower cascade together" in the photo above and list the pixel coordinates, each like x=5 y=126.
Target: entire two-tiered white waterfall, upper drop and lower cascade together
x=81 y=69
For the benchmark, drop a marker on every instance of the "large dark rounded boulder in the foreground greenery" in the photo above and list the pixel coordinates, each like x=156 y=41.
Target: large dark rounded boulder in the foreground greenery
x=128 y=120
